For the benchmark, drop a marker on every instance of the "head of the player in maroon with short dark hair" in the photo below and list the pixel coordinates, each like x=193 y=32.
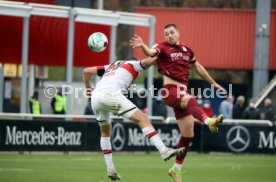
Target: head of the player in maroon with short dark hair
x=171 y=34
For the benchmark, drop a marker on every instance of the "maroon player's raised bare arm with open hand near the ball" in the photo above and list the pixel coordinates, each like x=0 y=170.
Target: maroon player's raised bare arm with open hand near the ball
x=137 y=41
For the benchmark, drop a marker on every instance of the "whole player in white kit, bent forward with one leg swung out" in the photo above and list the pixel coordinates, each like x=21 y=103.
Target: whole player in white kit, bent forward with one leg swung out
x=108 y=98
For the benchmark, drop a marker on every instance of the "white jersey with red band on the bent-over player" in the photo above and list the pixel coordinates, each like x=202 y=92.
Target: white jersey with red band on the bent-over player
x=119 y=75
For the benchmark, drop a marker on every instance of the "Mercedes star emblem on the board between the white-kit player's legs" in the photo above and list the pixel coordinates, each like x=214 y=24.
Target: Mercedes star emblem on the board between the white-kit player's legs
x=118 y=137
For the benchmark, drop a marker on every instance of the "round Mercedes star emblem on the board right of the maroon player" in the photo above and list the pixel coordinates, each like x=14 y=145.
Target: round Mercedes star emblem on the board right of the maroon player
x=238 y=138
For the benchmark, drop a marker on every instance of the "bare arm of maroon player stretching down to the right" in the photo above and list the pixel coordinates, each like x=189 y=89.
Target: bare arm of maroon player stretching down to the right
x=205 y=75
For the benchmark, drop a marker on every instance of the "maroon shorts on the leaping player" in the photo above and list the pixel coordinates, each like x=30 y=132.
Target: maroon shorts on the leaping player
x=172 y=95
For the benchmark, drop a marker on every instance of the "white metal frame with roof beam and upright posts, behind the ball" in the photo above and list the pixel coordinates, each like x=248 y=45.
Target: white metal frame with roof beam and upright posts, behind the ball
x=110 y=18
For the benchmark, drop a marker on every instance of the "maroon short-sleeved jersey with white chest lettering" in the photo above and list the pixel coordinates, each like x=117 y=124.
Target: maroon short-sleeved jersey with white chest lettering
x=174 y=60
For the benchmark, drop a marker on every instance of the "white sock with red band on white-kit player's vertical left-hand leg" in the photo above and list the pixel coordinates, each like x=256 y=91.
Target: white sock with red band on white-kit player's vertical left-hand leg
x=107 y=150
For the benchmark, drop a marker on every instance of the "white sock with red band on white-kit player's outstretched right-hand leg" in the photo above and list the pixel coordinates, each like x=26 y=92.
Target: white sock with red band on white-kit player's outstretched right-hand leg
x=150 y=133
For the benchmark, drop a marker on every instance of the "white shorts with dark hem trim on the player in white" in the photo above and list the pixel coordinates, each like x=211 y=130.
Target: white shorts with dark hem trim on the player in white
x=107 y=101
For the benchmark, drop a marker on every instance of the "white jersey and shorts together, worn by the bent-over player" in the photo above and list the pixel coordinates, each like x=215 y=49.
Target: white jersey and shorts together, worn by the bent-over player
x=108 y=96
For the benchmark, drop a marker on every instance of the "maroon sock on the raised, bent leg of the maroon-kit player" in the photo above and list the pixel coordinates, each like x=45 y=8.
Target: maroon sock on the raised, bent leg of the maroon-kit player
x=195 y=110
